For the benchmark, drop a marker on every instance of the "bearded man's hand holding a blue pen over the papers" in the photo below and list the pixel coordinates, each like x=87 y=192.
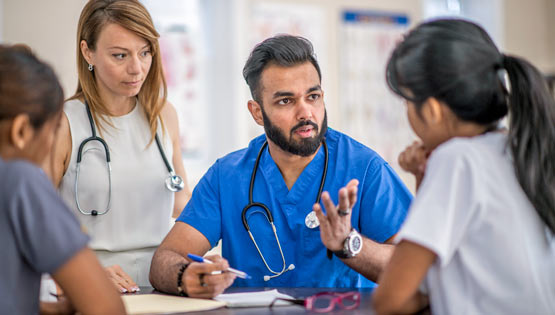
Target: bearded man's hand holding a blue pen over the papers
x=206 y=280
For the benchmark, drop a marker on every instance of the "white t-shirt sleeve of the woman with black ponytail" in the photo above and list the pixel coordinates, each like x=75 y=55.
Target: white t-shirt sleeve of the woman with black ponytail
x=444 y=204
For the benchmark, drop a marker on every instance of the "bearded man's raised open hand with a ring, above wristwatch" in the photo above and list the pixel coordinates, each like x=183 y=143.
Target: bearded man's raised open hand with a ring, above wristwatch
x=335 y=225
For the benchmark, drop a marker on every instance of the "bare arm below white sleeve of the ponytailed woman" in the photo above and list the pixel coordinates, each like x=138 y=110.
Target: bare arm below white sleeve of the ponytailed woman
x=398 y=289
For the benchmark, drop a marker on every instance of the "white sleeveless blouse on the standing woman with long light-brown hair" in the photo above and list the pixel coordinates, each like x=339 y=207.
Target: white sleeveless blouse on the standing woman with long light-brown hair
x=141 y=206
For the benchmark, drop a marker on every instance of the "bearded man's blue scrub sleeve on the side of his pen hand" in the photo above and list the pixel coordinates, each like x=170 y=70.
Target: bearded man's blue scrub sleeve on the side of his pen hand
x=203 y=211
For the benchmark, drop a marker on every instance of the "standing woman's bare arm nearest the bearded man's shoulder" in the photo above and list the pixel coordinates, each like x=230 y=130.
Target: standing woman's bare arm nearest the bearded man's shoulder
x=169 y=115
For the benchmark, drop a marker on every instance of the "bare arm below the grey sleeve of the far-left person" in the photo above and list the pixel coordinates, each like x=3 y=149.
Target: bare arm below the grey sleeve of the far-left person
x=86 y=285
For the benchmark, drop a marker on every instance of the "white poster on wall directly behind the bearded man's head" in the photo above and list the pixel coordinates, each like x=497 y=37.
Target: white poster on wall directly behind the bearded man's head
x=271 y=18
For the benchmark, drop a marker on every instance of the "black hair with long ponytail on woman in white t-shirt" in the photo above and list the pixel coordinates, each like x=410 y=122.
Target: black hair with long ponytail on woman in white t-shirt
x=456 y=62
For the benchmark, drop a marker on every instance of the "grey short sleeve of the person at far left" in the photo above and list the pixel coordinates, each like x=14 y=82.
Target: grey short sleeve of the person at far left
x=46 y=232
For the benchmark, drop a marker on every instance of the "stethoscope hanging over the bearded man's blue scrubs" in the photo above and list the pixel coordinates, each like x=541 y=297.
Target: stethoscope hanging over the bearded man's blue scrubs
x=311 y=221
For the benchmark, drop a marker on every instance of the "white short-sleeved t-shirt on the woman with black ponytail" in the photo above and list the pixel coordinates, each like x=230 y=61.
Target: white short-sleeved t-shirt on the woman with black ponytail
x=494 y=254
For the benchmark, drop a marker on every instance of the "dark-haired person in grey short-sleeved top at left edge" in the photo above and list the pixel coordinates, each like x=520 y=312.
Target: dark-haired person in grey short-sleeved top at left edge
x=38 y=234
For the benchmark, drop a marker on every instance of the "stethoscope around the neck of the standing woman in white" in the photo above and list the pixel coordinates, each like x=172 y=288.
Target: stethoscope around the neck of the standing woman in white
x=174 y=182
